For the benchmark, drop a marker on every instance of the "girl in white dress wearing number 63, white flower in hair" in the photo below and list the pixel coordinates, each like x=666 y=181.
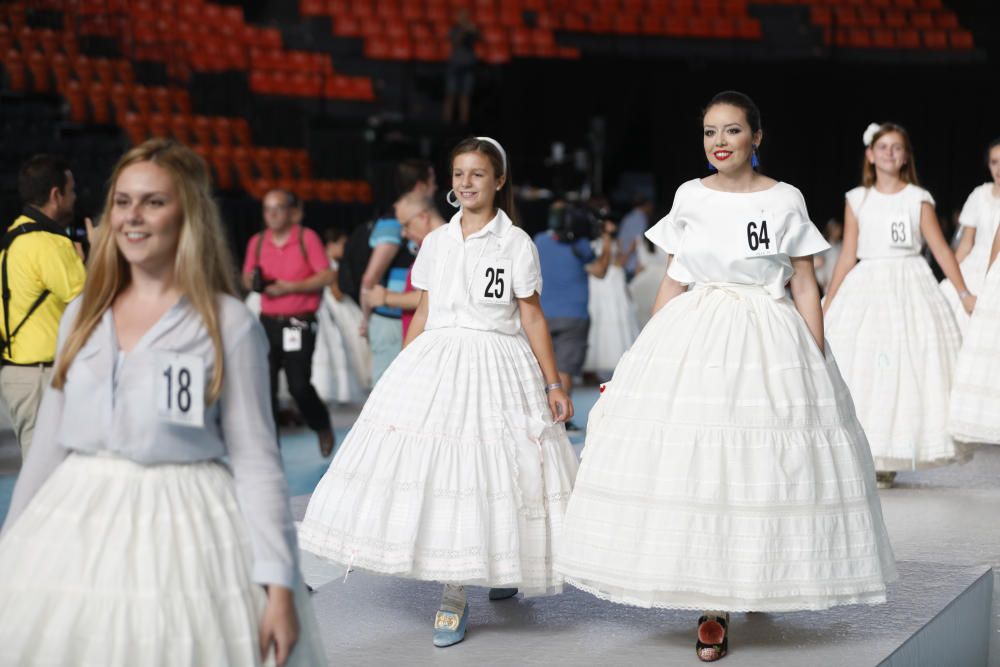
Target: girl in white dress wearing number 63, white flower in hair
x=888 y=323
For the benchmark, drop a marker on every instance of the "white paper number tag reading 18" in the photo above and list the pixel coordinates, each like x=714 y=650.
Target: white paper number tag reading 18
x=180 y=388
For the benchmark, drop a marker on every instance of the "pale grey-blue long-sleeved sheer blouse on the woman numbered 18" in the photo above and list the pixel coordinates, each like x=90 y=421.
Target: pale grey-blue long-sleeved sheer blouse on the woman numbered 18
x=95 y=413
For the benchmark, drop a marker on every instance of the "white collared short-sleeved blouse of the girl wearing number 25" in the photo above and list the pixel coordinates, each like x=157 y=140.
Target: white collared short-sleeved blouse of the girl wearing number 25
x=475 y=282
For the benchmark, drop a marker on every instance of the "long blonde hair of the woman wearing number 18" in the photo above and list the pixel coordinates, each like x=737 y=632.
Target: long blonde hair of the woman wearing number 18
x=203 y=267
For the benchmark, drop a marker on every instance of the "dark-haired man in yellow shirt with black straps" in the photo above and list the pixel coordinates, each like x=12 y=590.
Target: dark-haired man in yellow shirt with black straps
x=41 y=273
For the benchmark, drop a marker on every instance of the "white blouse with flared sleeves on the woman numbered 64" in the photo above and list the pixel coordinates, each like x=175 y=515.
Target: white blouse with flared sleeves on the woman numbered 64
x=736 y=237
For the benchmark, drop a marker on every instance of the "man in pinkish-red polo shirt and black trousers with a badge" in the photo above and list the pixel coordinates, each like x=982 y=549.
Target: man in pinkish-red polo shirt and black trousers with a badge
x=287 y=265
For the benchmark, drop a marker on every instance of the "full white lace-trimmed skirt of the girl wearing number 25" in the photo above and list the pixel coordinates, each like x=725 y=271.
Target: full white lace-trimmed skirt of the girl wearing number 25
x=453 y=471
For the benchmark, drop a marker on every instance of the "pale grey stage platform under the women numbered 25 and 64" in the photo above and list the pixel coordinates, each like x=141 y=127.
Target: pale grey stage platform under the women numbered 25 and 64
x=945 y=528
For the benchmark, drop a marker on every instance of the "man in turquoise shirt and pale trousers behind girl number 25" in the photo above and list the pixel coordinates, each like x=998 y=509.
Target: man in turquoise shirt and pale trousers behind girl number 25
x=388 y=266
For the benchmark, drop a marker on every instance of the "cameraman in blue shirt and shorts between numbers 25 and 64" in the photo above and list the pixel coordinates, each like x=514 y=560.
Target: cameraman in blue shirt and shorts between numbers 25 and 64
x=567 y=261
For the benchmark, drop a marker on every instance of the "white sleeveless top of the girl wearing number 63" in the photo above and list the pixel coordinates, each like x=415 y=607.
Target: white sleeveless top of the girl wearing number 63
x=888 y=225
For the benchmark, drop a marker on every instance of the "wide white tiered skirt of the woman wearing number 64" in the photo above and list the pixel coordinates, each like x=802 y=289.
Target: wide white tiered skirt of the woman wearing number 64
x=724 y=468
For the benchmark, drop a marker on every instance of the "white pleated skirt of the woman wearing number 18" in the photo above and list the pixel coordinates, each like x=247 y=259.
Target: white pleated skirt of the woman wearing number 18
x=115 y=563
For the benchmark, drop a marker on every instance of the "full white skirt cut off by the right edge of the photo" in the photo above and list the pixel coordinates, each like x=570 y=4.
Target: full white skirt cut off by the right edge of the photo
x=975 y=396
